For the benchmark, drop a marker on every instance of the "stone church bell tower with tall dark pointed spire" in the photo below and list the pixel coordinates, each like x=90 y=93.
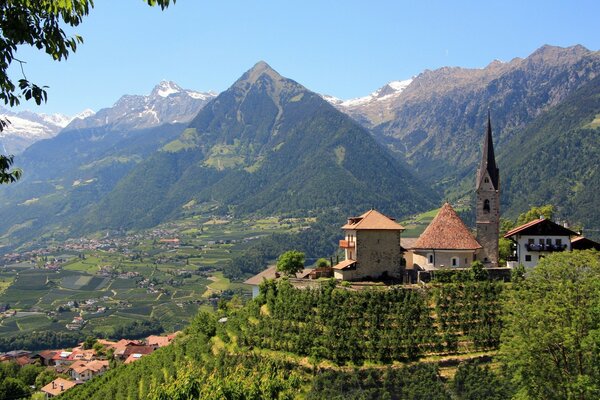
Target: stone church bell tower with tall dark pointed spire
x=487 y=189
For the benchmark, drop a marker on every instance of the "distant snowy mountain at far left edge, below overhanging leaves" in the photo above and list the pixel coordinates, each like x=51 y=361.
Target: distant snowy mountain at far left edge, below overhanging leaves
x=27 y=127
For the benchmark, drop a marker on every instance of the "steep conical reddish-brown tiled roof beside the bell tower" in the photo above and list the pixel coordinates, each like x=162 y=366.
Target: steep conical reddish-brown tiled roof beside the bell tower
x=446 y=232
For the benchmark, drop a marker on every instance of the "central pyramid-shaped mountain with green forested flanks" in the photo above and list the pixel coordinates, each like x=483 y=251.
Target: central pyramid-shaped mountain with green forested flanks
x=267 y=145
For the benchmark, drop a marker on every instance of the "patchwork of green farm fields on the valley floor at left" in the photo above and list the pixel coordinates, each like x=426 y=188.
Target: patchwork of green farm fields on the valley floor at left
x=142 y=277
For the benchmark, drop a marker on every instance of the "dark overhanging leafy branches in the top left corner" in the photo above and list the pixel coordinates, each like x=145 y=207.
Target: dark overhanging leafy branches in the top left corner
x=37 y=24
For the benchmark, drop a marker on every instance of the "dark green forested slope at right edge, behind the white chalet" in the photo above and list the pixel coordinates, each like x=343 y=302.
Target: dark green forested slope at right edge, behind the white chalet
x=555 y=161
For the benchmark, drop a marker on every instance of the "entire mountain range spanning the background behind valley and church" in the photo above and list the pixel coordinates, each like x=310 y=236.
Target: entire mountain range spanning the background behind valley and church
x=269 y=145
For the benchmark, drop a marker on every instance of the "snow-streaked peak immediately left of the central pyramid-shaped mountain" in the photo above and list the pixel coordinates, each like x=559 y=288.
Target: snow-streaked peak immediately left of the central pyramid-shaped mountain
x=167 y=103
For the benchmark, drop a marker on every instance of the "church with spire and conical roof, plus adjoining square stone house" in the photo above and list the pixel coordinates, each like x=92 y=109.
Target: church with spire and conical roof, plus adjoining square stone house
x=374 y=247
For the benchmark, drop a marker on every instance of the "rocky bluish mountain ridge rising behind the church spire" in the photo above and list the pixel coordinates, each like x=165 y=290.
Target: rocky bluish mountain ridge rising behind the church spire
x=437 y=121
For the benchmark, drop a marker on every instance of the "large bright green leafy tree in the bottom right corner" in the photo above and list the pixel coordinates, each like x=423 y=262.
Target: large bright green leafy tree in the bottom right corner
x=551 y=336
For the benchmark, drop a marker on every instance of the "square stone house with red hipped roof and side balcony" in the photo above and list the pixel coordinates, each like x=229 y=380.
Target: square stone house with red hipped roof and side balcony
x=371 y=248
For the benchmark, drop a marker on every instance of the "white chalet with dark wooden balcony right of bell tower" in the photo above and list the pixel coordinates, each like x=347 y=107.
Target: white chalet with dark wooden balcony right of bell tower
x=535 y=240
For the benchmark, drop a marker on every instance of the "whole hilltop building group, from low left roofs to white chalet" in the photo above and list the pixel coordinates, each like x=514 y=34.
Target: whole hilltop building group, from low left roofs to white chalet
x=375 y=249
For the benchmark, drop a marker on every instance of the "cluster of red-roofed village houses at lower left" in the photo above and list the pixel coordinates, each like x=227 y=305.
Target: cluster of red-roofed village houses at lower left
x=81 y=364
